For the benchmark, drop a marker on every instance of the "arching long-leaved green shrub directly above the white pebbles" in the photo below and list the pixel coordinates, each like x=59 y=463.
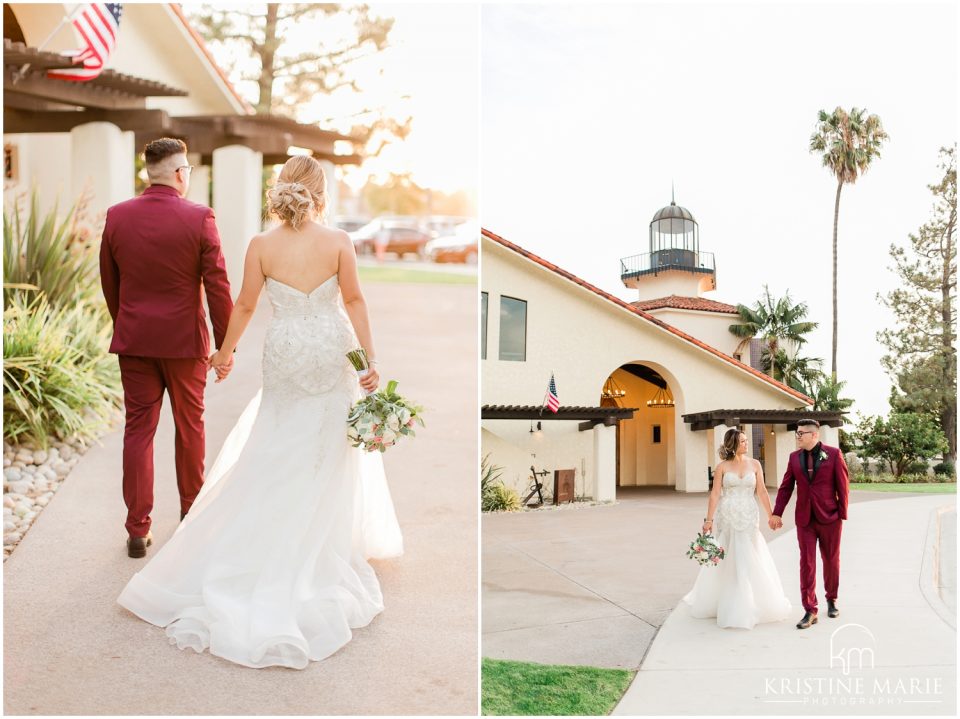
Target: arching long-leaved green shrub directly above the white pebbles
x=58 y=379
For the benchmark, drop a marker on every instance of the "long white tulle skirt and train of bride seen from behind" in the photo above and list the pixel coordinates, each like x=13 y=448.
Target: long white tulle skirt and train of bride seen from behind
x=269 y=566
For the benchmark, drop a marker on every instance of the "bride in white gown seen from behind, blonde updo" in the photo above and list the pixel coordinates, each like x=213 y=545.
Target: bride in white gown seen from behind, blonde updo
x=269 y=567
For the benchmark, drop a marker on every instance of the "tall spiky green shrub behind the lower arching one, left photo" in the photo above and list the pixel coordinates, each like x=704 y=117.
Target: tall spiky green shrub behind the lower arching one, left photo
x=45 y=254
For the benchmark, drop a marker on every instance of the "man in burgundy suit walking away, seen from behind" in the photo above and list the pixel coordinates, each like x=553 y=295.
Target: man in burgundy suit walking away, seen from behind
x=159 y=253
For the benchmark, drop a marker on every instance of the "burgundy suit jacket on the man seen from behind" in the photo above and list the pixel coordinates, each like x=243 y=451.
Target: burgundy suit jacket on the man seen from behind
x=159 y=252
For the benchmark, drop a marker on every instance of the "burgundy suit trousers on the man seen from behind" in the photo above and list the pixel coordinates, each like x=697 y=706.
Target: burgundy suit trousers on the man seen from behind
x=144 y=381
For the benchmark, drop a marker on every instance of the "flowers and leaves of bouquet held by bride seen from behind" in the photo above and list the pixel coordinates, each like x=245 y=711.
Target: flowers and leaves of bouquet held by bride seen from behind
x=380 y=419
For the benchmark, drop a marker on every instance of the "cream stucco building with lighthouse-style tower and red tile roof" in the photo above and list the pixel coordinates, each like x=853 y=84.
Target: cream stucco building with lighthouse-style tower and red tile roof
x=671 y=347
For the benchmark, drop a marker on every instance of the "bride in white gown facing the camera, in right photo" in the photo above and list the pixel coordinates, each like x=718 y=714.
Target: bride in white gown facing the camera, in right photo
x=744 y=589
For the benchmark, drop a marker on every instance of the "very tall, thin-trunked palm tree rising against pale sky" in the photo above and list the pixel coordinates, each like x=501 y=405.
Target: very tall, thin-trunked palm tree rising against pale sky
x=848 y=143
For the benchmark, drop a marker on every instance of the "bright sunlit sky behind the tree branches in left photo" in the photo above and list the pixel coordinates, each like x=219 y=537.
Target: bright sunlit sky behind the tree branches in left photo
x=430 y=71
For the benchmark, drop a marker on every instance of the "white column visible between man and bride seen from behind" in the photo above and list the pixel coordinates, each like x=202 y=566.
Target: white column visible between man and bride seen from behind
x=236 y=201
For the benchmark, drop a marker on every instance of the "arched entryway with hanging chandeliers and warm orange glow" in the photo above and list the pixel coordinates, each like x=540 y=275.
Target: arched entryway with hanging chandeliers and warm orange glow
x=647 y=444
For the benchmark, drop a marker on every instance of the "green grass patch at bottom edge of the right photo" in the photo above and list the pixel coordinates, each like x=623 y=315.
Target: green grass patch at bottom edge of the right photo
x=523 y=688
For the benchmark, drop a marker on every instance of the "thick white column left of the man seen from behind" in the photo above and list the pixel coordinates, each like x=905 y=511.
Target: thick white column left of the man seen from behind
x=102 y=159
